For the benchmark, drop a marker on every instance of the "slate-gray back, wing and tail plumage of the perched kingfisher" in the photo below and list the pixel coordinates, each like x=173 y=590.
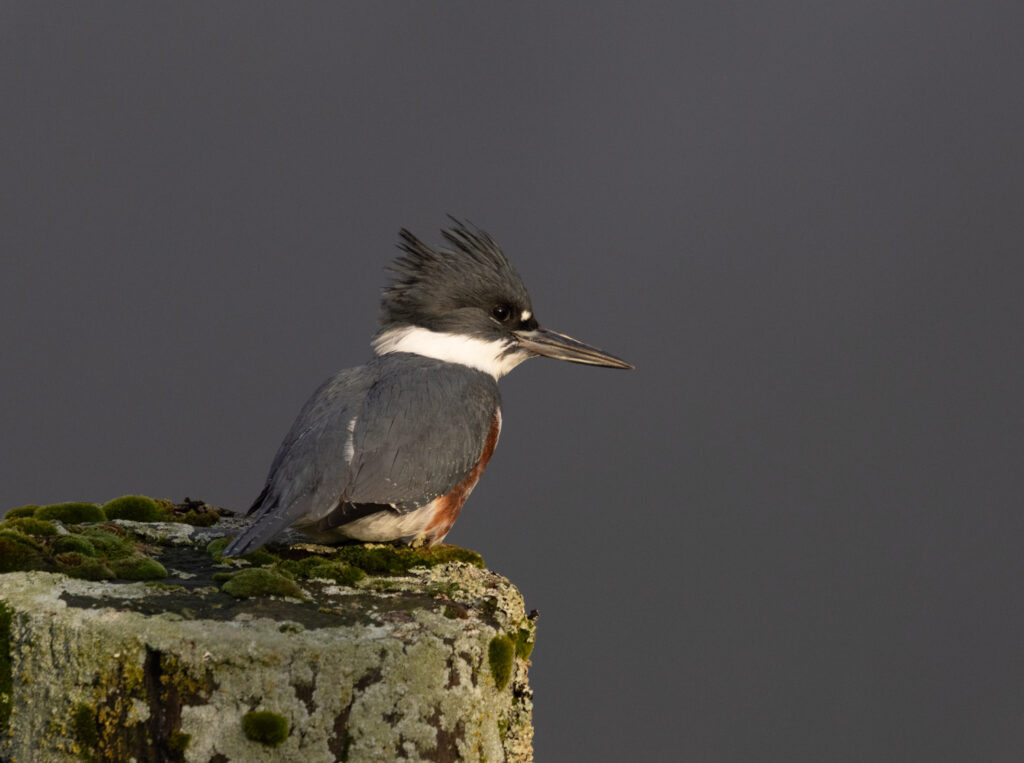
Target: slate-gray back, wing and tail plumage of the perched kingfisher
x=420 y=426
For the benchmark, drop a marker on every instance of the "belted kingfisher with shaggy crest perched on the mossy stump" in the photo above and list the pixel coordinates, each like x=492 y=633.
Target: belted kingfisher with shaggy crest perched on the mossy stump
x=391 y=451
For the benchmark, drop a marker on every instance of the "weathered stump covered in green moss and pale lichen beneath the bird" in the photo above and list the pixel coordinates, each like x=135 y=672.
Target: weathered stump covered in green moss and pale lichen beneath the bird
x=123 y=640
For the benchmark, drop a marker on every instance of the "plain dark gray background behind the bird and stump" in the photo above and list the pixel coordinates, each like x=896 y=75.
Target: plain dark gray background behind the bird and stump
x=794 y=533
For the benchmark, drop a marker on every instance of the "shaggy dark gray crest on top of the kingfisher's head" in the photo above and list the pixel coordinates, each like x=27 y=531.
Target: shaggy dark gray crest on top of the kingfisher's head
x=433 y=284
